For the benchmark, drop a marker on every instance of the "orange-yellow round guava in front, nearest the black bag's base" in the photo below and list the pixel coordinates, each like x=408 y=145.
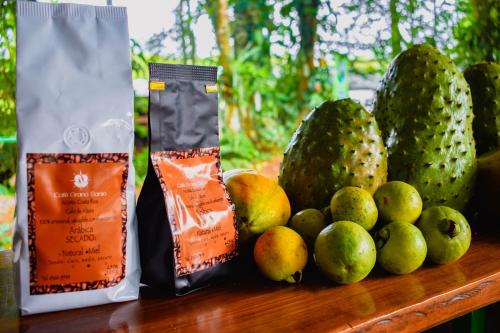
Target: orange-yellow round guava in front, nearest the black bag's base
x=281 y=254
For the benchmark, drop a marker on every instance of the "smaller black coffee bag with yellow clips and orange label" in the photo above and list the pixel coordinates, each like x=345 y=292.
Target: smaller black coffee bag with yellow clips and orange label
x=187 y=228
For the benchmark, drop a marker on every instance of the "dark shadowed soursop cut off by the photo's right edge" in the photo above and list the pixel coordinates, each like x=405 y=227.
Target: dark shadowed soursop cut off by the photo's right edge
x=484 y=82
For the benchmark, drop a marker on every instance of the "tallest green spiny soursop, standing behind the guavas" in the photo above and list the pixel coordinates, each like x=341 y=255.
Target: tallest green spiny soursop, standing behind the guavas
x=424 y=110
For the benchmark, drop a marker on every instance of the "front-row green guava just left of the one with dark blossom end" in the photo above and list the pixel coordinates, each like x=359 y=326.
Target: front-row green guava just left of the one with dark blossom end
x=401 y=247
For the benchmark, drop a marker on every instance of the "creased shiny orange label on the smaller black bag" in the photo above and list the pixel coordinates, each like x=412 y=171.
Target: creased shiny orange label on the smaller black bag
x=198 y=207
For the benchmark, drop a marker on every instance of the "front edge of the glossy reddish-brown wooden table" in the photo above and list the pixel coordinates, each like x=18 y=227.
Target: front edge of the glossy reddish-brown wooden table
x=437 y=309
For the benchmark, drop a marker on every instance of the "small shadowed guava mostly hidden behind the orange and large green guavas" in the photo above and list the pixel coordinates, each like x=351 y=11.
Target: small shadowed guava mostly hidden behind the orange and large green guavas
x=308 y=223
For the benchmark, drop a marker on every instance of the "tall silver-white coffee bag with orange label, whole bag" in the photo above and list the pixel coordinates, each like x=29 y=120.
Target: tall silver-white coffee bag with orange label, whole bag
x=75 y=236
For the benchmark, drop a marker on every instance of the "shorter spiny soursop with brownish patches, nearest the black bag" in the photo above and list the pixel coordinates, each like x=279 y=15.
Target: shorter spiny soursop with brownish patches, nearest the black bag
x=338 y=144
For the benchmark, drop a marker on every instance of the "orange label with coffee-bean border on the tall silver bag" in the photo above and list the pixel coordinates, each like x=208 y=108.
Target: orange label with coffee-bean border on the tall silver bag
x=77 y=214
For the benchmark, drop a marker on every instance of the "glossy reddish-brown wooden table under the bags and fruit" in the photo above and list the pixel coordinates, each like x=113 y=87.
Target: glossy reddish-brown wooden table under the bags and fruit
x=382 y=302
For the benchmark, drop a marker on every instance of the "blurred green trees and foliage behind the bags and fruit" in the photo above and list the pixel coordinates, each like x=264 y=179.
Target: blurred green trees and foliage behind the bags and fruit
x=277 y=60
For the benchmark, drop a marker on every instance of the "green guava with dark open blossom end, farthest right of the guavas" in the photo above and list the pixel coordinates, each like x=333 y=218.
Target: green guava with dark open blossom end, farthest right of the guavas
x=446 y=232
